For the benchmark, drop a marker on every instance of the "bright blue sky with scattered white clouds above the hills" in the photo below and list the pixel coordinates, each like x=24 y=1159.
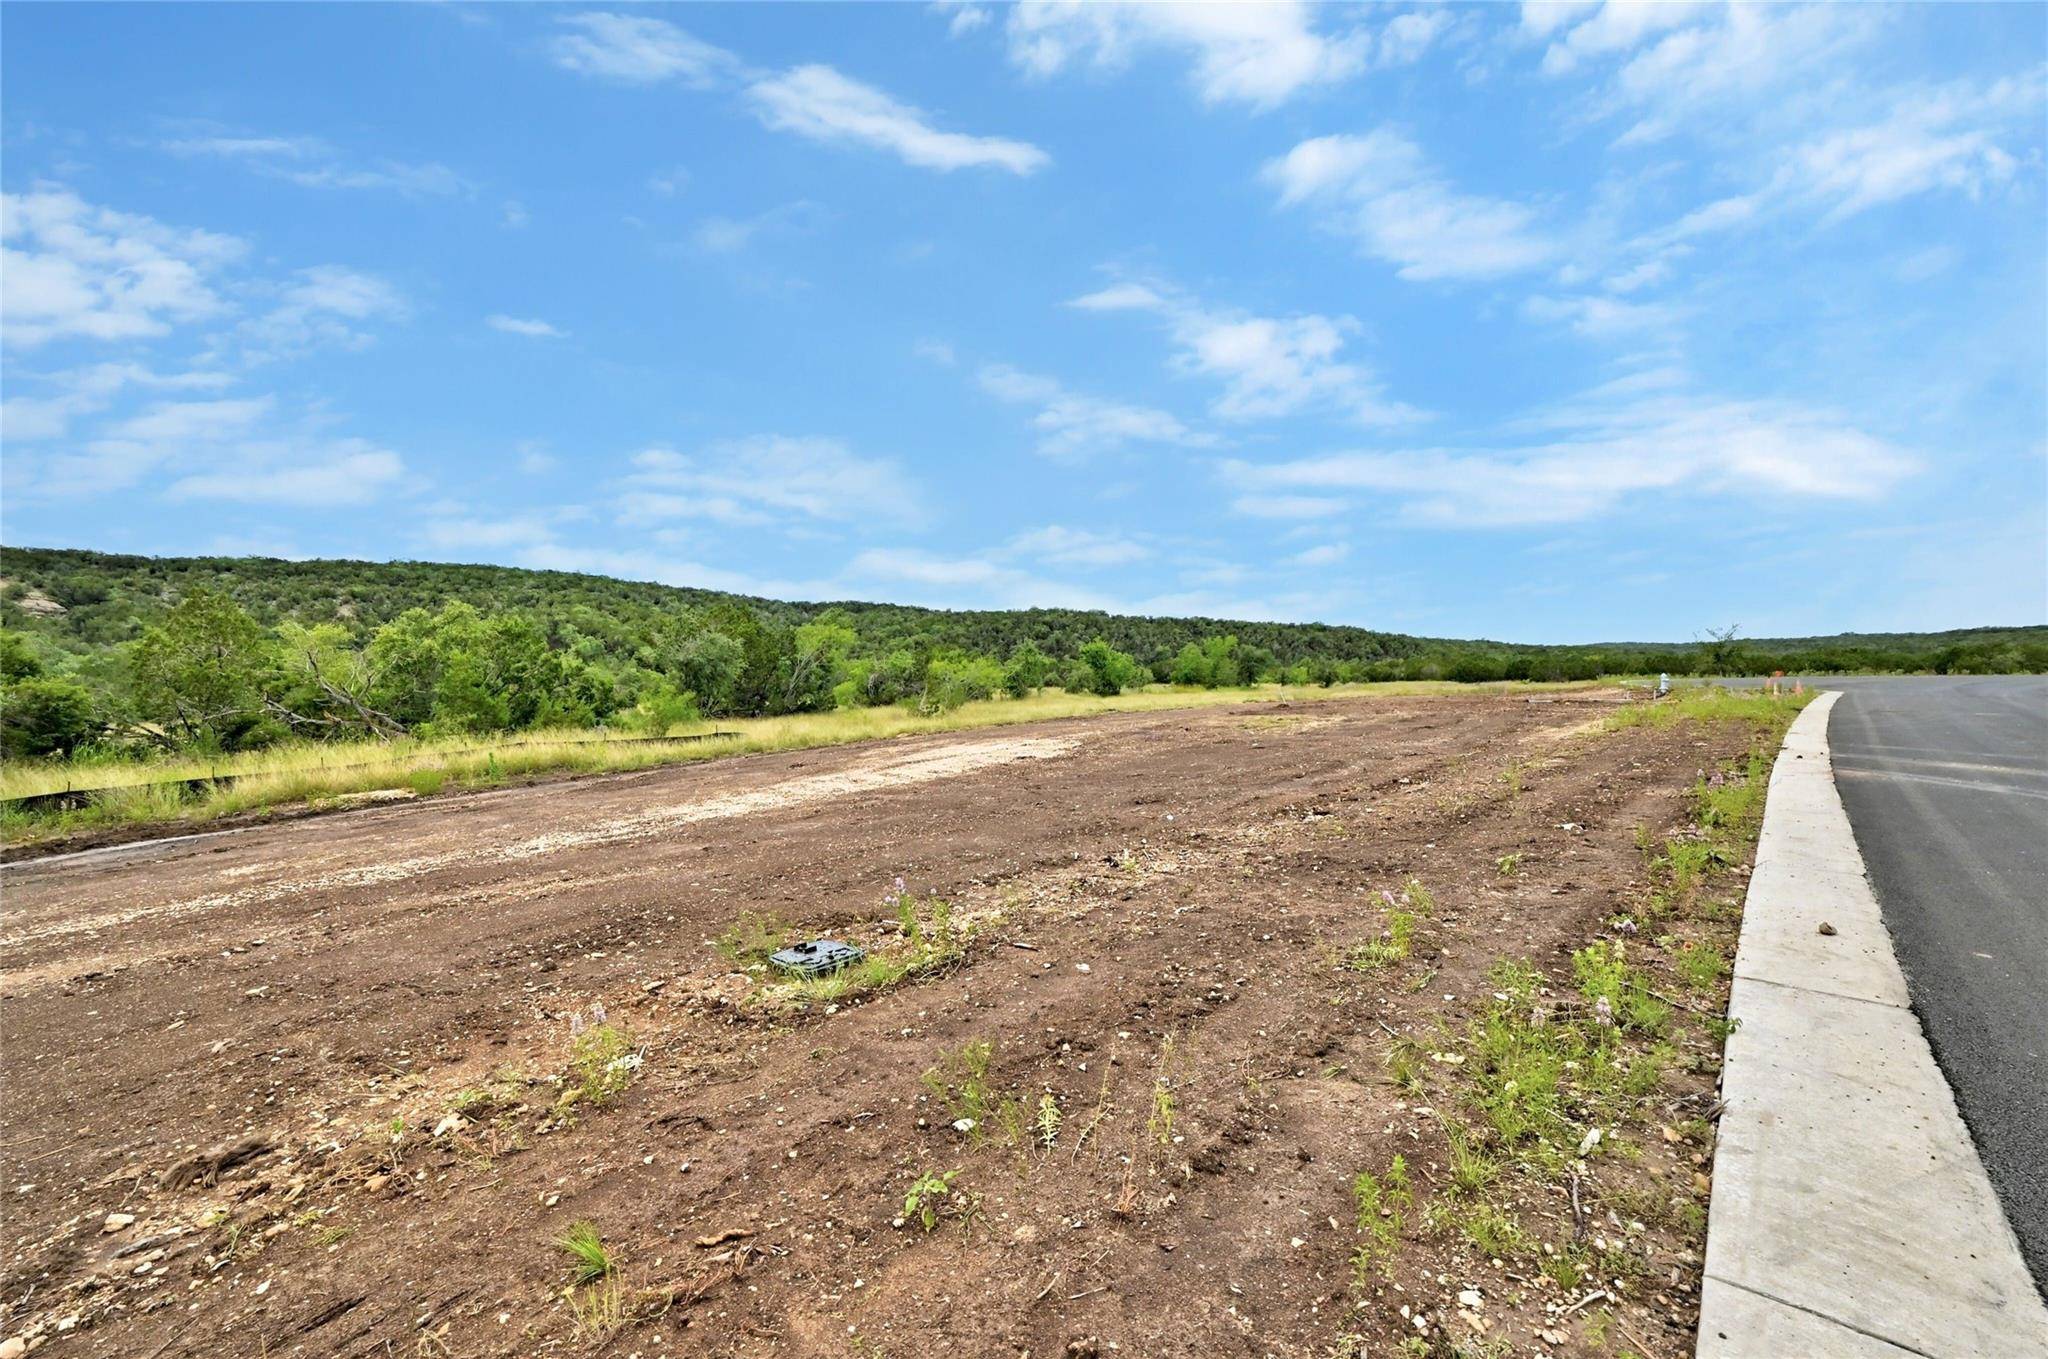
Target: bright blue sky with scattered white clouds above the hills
x=1543 y=324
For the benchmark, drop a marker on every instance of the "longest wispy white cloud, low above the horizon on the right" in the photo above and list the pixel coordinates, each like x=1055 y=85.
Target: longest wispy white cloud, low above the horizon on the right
x=1601 y=455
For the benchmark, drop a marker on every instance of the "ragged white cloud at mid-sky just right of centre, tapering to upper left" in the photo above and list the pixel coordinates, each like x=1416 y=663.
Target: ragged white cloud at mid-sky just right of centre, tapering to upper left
x=1269 y=367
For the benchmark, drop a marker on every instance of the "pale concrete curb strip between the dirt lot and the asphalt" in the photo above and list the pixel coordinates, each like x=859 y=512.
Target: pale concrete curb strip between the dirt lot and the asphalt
x=1852 y=1215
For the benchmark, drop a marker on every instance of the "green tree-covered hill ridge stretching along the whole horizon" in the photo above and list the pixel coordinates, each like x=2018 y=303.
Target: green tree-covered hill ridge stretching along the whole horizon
x=142 y=654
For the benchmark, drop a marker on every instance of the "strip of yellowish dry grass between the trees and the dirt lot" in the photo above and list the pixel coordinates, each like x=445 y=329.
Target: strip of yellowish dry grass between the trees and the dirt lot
x=310 y=775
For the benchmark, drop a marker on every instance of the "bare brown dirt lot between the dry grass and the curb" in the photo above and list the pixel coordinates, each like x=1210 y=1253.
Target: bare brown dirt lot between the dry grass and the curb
x=298 y=1090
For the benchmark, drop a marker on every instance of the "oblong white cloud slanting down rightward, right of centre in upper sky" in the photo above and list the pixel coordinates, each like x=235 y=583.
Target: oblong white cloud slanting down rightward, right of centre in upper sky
x=1381 y=193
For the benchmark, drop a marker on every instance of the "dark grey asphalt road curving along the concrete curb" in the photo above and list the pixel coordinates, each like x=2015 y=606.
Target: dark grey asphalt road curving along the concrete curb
x=1947 y=787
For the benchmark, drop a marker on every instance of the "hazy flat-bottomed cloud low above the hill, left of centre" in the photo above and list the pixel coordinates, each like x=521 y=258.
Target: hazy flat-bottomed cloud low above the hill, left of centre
x=773 y=478
